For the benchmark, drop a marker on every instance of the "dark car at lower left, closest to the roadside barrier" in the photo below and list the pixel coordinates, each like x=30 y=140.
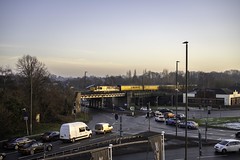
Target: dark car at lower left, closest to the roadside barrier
x=34 y=147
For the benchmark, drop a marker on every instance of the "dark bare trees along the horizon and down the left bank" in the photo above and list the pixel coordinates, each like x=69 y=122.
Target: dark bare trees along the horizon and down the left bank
x=32 y=86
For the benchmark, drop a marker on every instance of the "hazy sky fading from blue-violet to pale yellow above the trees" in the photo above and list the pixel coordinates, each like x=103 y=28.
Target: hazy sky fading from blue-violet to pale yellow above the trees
x=110 y=37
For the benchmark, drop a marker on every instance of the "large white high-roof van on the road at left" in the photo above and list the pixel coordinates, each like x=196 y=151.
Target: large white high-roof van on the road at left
x=74 y=131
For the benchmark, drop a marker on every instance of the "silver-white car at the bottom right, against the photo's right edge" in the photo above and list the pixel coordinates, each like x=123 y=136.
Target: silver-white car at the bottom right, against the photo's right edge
x=227 y=145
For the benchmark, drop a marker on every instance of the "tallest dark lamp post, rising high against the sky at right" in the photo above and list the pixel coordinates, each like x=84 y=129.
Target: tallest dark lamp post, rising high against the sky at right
x=186 y=99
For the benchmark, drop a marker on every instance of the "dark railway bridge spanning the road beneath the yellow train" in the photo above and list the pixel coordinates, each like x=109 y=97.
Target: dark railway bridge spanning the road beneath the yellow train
x=124 y=99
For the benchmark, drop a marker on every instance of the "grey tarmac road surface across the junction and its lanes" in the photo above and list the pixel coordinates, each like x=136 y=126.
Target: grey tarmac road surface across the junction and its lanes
x=135 y=124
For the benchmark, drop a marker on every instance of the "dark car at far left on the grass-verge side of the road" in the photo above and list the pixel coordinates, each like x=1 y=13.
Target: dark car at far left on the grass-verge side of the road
x=14 y=143
